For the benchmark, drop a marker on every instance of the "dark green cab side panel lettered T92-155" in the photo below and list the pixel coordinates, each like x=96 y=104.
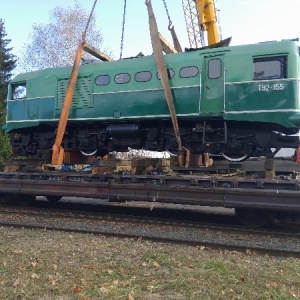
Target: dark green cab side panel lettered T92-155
x=264 y=101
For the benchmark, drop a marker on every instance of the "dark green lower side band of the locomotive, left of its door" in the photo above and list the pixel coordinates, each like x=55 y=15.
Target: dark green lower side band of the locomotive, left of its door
x=139 y=105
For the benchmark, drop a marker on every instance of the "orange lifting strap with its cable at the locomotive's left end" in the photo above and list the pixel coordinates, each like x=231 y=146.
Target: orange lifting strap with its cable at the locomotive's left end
x=57 y=149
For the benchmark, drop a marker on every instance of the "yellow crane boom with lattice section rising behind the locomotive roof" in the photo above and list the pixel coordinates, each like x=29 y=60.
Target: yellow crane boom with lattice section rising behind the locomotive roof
x=201 y=16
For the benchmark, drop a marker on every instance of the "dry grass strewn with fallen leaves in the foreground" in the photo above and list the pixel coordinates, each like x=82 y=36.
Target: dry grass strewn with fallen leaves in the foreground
x=48 y=265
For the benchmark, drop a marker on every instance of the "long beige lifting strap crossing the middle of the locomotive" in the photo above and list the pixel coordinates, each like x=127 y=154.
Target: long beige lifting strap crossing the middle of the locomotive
x=162 y=71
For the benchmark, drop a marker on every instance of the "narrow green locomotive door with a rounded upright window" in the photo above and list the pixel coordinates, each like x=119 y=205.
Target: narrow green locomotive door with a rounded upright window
x=213 y=86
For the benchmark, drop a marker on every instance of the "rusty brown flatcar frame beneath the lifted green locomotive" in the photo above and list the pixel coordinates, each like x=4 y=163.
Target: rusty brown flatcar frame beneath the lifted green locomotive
x=278 y=195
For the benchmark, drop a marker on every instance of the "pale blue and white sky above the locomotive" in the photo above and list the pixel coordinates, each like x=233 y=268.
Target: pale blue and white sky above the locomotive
x=246 y=21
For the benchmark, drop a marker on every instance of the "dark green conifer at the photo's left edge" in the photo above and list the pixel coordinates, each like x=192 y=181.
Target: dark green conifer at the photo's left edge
x=7 y=65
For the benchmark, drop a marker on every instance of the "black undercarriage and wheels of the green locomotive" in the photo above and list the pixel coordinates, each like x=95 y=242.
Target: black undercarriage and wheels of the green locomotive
x=234 y=144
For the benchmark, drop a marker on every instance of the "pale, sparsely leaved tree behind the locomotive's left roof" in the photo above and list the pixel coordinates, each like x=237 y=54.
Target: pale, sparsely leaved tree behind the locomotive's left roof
x=54 y=44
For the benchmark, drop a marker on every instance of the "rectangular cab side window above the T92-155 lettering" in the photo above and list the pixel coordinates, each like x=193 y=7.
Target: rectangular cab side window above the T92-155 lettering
x=269 y=68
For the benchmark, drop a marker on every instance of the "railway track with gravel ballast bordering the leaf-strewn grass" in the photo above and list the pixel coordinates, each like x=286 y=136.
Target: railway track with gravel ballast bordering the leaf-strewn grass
x=222 y=236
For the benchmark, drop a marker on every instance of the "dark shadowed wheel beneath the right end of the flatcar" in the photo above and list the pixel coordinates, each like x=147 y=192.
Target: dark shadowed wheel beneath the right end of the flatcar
x=252 y=217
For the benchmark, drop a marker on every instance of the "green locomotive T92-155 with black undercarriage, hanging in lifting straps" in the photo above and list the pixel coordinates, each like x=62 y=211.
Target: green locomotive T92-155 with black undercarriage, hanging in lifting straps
x=237 y=101
